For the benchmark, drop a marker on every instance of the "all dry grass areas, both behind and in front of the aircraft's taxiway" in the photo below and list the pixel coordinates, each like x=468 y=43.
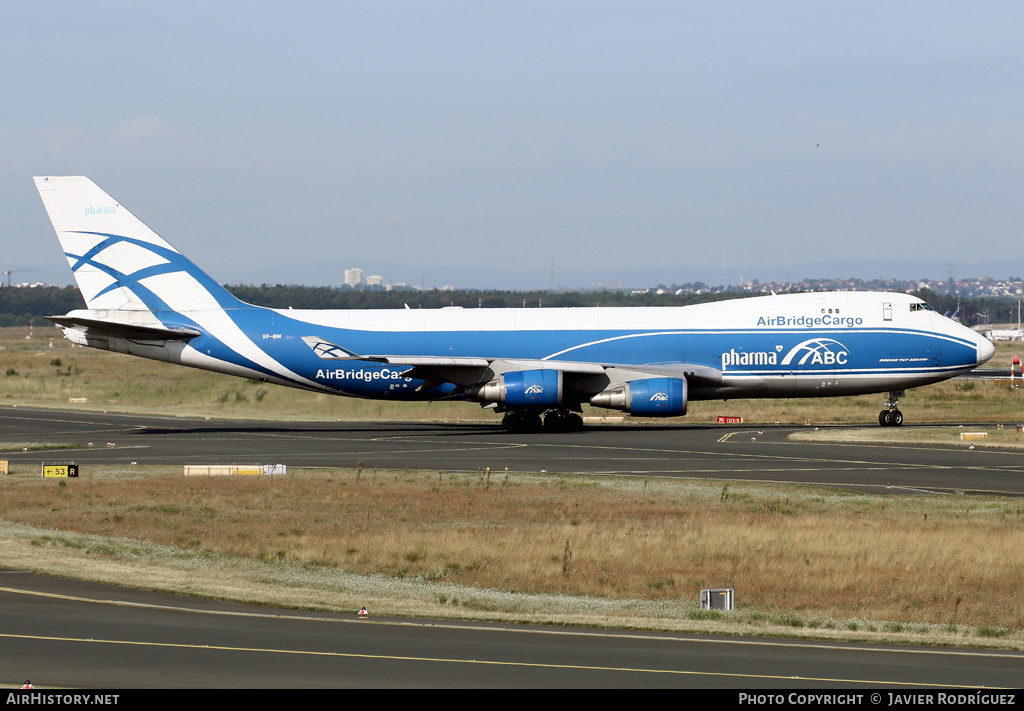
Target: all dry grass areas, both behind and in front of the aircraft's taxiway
x=567 y=551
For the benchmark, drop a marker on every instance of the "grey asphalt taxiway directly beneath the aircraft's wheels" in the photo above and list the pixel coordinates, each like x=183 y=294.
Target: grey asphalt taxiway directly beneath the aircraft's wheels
x=738 y=453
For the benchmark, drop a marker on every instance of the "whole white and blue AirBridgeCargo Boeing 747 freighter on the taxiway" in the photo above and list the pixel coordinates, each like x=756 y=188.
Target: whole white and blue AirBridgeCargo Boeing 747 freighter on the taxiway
x=147 y=300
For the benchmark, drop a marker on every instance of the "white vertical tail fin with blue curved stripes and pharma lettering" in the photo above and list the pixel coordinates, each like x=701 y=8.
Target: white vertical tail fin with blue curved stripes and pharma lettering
x=119 y=264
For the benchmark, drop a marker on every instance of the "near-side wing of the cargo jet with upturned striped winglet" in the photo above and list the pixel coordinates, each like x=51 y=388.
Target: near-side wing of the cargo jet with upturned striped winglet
x=471 y=371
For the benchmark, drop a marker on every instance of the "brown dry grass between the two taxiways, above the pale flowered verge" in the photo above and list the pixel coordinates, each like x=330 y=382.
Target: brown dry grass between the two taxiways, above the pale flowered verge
x=816 y=554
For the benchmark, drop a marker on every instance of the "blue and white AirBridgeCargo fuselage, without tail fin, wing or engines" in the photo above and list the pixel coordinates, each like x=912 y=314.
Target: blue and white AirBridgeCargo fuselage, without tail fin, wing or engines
x=794 y=346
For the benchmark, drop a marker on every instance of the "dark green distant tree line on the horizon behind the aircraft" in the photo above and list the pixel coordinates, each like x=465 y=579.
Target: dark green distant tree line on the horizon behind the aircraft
x=20 y=305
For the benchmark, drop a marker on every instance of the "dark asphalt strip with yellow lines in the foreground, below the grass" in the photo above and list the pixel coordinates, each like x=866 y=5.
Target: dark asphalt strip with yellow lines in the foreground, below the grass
x=68 y=635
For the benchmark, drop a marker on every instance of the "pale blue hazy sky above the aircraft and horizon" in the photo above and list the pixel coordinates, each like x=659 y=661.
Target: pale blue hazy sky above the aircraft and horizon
x=521 y=135
